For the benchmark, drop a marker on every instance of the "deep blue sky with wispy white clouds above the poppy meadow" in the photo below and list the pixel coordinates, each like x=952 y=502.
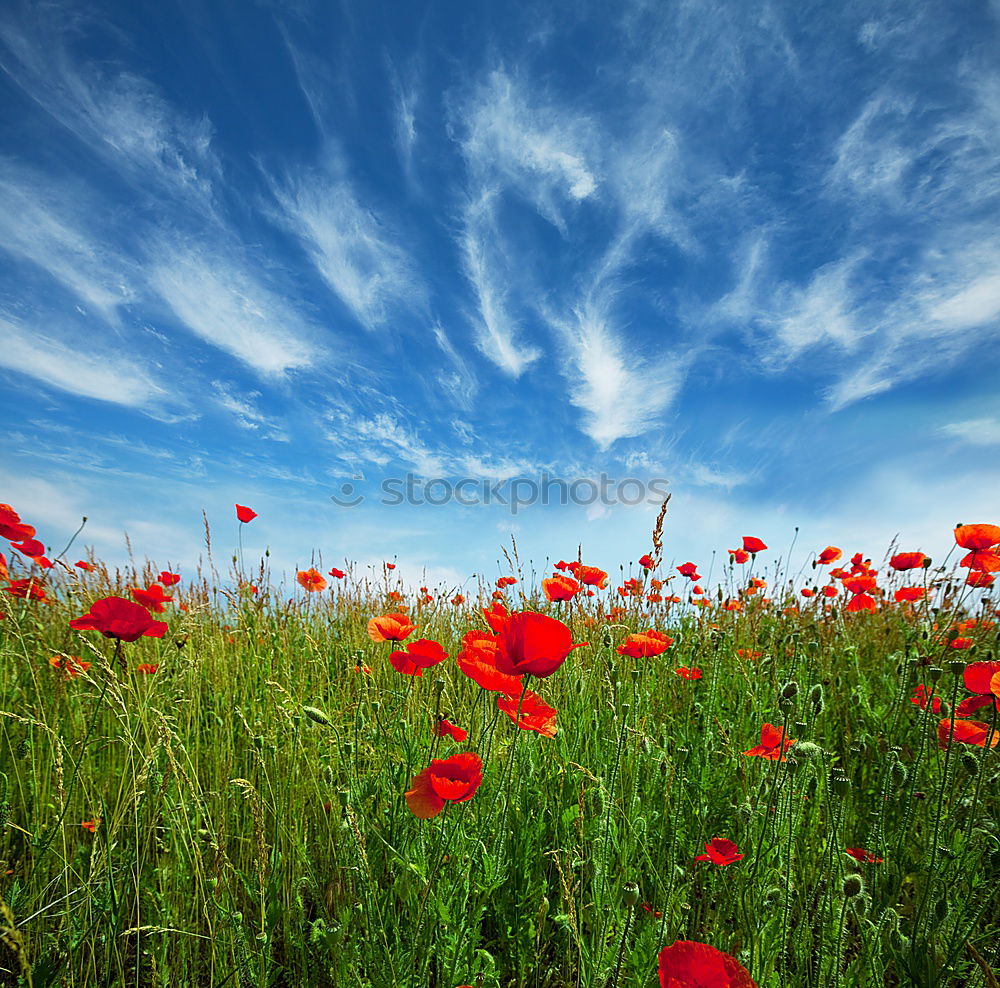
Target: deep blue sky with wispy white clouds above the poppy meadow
x=254 y=251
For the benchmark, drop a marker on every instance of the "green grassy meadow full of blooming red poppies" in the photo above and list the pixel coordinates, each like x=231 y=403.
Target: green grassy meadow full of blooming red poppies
x=776 y=779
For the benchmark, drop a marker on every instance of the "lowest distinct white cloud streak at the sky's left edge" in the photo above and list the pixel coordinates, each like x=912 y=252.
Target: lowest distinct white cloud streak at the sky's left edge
x=103 y=376
